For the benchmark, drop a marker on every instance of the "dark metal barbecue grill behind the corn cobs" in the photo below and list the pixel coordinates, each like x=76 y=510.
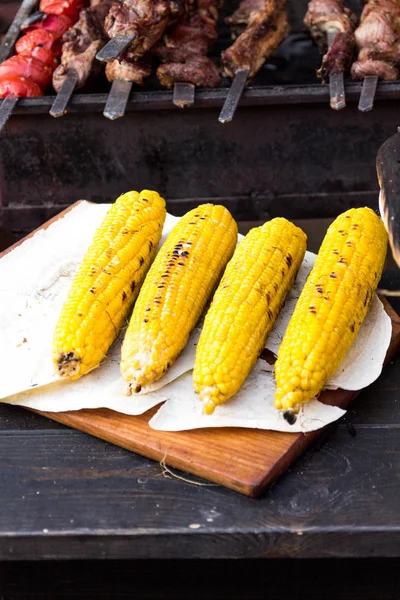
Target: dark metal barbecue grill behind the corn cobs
x=285 y=153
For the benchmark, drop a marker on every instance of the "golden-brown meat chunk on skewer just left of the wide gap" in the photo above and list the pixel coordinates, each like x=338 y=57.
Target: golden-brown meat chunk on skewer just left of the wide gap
x=260 y=39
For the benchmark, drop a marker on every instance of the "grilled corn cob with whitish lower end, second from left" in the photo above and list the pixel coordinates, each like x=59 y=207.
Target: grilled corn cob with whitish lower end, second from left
x=175 y=292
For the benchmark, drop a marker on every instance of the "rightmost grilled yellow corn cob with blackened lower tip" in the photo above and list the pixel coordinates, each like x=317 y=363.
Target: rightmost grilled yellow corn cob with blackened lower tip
x=331 y=307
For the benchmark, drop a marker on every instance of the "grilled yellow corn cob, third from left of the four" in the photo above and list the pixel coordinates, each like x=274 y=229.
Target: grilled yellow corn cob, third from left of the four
x=244 y=309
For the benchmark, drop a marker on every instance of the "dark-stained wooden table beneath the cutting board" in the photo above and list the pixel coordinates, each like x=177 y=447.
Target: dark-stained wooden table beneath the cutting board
x=65 y=496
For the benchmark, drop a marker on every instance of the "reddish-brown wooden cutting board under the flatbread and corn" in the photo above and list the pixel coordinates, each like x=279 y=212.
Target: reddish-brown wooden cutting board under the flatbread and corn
x=245 y=460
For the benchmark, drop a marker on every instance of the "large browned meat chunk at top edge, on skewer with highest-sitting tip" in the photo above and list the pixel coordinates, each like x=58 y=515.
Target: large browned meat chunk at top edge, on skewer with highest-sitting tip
x=146 y=20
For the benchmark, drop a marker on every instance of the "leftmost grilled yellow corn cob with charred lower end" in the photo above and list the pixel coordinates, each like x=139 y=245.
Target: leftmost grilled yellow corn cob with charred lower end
x=107 y=282
